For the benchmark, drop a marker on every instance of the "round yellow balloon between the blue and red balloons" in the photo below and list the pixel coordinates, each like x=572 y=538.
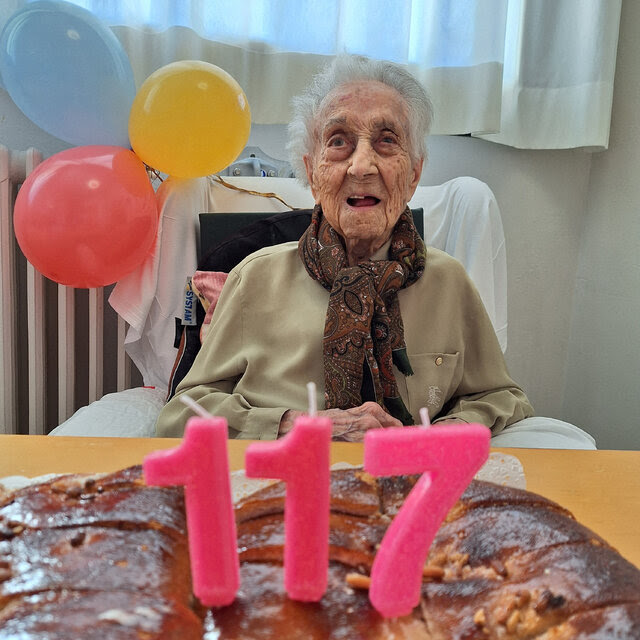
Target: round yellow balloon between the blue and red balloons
x=189 y=119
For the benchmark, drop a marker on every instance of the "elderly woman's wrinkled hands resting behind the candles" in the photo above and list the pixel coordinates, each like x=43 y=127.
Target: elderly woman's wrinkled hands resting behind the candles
x=349 y=425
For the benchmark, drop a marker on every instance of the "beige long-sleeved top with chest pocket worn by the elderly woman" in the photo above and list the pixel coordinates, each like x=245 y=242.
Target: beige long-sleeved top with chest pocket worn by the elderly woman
x=265 y=343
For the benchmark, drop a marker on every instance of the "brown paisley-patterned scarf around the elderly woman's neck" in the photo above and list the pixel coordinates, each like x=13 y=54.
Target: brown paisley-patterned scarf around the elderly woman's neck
x=363 y=334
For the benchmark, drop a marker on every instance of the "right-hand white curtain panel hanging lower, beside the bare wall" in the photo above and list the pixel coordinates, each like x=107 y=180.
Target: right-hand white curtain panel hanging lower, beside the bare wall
x=559 y=67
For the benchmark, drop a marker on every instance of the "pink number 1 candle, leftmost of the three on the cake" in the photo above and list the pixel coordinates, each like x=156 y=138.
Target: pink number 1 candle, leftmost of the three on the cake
x=201 y=464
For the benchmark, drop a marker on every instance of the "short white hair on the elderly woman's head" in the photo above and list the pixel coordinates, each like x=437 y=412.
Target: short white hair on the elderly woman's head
x=346 y=69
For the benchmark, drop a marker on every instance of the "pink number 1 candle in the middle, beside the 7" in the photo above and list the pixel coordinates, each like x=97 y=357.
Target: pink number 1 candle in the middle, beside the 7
x=301 y=459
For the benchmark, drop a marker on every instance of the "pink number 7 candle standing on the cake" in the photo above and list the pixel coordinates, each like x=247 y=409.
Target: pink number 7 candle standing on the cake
x=448 y=456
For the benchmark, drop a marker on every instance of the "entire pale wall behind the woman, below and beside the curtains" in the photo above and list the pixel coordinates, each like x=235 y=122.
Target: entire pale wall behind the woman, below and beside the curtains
x=572 y=227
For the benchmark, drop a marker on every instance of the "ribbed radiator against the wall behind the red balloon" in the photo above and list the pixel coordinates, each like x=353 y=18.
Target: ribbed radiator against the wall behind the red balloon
x=60 y=348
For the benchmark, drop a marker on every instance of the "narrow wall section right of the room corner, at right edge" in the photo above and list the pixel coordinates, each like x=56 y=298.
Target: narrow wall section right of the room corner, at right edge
x=603 y=365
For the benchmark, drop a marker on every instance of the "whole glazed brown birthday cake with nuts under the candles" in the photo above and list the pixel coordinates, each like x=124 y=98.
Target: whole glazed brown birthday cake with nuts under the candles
x=107 y=557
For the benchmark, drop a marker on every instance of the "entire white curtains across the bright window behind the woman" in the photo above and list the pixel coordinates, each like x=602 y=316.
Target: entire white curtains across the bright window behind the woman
x=525 y=73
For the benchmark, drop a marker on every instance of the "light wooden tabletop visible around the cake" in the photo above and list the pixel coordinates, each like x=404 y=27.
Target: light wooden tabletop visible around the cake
x=601 y=488
